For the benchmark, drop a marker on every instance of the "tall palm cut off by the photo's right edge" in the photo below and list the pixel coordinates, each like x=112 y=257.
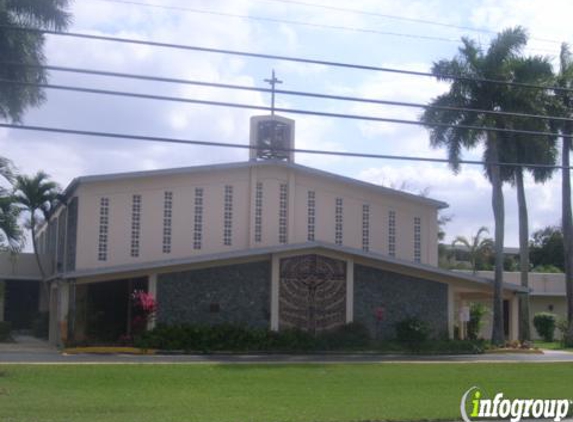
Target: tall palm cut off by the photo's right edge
x=565 y=100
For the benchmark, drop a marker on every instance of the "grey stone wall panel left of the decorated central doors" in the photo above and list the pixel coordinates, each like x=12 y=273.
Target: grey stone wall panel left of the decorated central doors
x=236 y=294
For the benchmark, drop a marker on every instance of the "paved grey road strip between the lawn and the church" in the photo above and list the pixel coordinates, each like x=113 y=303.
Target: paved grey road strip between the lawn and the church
x=31 y=350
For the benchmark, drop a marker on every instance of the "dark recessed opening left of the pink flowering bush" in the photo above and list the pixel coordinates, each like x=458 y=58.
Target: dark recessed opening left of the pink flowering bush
x=108 y=304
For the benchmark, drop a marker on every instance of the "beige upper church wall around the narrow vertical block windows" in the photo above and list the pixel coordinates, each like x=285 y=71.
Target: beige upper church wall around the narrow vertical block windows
x=243 y=181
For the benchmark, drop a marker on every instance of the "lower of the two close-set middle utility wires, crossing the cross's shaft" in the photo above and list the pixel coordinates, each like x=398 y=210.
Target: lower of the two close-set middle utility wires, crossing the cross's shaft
x=284 y=110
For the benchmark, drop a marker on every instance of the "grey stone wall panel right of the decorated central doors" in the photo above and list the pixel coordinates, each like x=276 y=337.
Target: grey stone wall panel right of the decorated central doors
x=401 y=296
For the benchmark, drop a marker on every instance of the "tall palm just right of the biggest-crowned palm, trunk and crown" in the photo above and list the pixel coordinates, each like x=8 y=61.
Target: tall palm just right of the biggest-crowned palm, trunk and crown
x=526 y=149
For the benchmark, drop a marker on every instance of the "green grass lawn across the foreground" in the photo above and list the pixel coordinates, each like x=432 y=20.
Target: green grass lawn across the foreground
x=163 y=393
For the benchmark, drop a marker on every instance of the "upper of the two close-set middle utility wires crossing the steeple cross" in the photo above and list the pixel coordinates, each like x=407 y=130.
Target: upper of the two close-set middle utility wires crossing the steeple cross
x=282 y=91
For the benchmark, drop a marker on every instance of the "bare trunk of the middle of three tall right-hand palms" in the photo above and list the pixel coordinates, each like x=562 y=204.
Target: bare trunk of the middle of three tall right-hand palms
x=524 y=332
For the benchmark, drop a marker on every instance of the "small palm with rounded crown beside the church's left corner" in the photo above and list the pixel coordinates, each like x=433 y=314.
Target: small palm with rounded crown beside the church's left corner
x=37 y=196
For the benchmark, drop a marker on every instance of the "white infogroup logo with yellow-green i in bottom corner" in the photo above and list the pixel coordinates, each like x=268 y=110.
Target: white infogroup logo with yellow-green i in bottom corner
x=482 y=408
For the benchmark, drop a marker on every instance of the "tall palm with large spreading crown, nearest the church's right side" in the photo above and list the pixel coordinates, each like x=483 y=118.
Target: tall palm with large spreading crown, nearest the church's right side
x=471 y=65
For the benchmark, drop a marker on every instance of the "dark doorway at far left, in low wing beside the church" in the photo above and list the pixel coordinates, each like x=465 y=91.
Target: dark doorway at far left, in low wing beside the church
x=21 y=303
